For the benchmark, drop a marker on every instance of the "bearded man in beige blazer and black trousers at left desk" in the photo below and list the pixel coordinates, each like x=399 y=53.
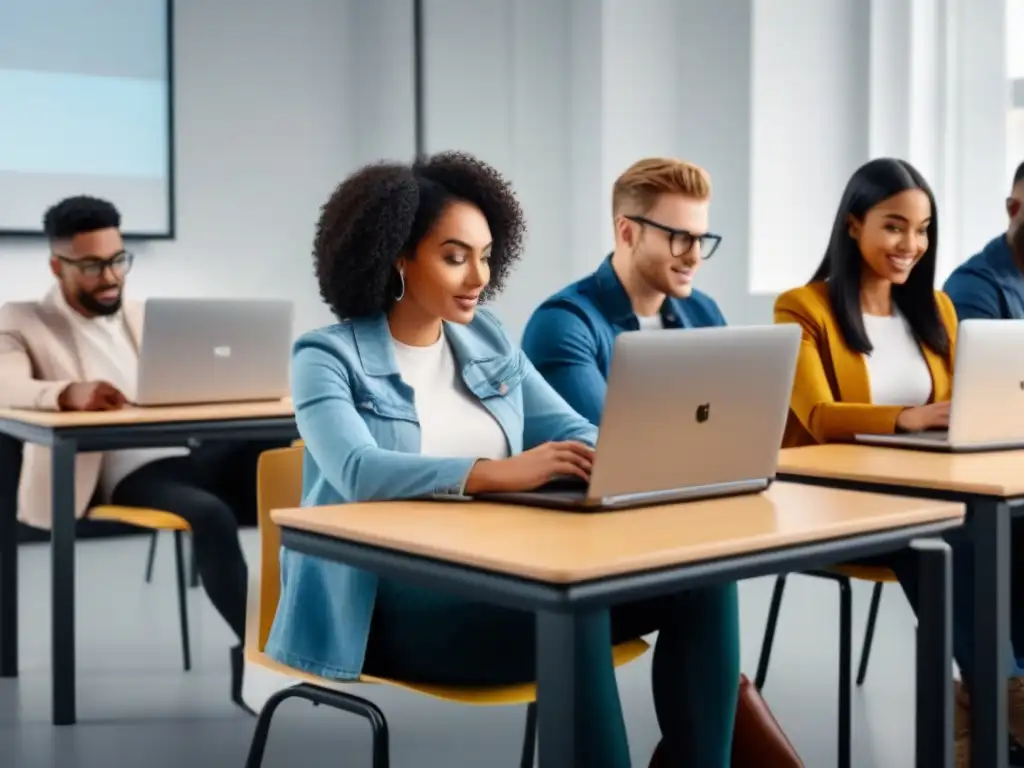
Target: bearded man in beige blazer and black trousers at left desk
x=77 y=350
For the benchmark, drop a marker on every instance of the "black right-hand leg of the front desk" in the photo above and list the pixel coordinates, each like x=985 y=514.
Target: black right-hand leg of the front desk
x=934 y=748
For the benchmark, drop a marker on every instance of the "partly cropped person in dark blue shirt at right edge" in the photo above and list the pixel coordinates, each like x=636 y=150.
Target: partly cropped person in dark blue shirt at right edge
x=991 y=285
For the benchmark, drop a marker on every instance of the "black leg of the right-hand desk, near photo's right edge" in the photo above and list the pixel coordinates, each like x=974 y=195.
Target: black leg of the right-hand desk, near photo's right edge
x=991 y=525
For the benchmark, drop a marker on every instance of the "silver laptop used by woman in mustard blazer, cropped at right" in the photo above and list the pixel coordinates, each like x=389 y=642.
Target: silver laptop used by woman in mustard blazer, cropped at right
x=987 y=411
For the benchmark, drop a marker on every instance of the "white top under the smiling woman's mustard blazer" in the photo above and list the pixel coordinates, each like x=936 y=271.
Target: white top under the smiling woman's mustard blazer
x=897 y=367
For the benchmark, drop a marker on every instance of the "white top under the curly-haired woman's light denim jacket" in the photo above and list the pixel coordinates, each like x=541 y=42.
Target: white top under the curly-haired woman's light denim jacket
x=453 y=422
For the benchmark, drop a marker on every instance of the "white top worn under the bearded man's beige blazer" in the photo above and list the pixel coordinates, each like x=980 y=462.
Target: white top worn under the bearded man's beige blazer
x=108 y=354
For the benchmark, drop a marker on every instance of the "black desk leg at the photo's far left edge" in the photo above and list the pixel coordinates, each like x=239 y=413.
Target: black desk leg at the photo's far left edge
x=9 y=560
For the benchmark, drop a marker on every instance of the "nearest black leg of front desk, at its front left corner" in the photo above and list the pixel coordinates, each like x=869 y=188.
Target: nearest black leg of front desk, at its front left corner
x=559 y=722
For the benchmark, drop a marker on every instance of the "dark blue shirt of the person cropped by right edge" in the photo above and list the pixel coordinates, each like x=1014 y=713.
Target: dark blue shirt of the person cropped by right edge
x=990 y=285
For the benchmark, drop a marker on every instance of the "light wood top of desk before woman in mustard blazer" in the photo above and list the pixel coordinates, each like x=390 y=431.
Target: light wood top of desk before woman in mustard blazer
x=999 y=474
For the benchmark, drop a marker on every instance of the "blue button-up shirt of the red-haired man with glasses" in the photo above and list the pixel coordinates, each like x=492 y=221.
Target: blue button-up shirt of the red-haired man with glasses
x=571 y=336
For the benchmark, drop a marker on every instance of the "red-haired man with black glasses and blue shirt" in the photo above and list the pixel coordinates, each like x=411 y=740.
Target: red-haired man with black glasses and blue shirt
x=660 y=210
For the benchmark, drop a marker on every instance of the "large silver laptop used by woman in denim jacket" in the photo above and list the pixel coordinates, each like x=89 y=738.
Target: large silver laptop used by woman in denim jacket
x=690 y=414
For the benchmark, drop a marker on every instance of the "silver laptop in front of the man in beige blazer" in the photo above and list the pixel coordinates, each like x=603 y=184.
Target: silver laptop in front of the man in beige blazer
x=214 y=351
